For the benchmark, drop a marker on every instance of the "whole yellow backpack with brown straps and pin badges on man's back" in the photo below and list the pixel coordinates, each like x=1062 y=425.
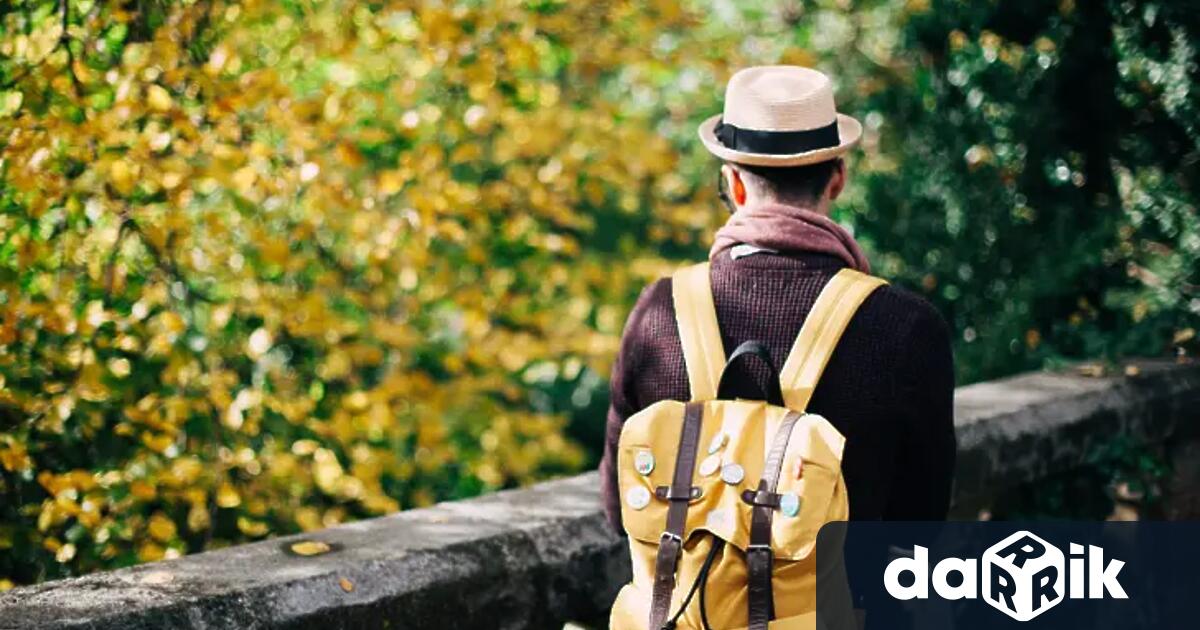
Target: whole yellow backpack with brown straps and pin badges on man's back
x=727 y=496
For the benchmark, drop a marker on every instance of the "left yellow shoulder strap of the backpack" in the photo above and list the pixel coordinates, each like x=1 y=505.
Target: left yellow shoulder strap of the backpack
x=697 y=317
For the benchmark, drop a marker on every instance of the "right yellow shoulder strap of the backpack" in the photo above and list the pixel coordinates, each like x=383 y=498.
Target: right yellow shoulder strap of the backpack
x=837 y=304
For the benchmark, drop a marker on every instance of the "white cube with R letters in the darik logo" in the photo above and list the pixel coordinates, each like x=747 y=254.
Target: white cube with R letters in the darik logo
x=1024 y=577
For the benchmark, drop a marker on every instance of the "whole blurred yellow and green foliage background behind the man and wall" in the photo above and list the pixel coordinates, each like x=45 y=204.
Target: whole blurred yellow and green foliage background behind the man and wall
x=271 y=267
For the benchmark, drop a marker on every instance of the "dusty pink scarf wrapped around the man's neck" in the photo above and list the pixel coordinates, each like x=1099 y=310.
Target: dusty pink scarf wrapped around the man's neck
x=790 y=229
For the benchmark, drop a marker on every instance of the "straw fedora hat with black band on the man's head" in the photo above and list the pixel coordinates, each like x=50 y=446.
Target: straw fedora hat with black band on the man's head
x=779 y=117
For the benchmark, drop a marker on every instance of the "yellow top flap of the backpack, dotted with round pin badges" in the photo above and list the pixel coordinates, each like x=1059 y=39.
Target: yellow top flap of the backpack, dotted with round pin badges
x=735 y=437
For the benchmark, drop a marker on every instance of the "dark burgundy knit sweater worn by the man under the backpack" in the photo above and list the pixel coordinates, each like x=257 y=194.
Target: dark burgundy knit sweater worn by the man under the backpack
x=889 y=387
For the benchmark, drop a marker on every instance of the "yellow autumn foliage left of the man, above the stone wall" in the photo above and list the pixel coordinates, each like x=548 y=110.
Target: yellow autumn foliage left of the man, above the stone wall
x=271 y=267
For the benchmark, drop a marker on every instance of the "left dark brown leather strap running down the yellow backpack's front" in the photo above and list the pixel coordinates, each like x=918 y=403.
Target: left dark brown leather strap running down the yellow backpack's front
x=671 y=543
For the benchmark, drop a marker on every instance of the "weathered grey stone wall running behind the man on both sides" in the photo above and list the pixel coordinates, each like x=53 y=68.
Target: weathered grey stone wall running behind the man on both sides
x=542 y=556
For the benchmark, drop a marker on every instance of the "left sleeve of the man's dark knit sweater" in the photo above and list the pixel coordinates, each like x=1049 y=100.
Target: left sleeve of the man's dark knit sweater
x=623 y=400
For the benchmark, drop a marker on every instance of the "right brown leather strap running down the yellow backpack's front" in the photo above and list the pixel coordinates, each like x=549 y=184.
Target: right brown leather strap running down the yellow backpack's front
x=760 y=559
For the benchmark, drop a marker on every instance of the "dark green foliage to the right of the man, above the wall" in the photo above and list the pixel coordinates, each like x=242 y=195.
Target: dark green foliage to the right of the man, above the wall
x=1036 y=176
